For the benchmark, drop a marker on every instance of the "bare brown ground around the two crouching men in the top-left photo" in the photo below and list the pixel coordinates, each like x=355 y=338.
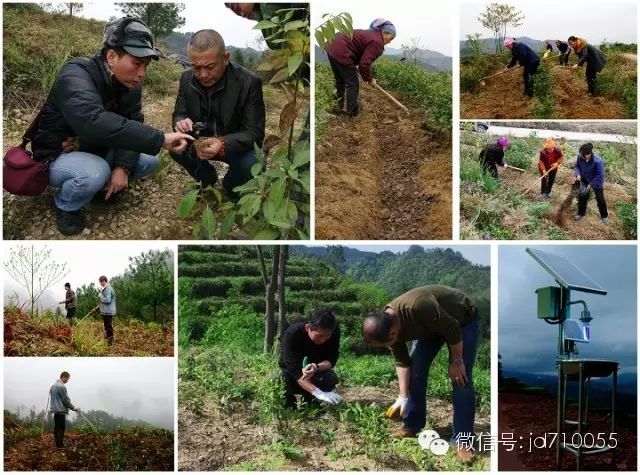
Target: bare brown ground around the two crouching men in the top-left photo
x=144 y=211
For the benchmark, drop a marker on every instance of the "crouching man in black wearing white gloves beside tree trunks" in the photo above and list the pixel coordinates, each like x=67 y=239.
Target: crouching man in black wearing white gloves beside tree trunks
x=310 y=350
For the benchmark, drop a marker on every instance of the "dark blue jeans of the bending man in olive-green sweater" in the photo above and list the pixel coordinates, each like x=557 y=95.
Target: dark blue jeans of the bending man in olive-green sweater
x=423 y=353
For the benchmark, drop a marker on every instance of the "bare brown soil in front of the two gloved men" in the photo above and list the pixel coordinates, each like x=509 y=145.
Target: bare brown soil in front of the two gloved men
x=216 y=440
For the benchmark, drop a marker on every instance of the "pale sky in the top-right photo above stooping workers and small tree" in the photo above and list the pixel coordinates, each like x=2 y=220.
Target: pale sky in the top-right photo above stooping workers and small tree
x=595 y=21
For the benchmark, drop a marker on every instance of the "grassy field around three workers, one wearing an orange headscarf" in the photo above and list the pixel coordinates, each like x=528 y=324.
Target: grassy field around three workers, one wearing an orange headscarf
x=499 y=209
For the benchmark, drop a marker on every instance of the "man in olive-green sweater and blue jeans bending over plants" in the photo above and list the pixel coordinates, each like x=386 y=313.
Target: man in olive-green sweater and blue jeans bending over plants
x=428 y=317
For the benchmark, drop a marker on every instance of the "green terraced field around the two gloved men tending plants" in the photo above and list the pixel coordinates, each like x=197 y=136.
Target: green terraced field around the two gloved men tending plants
x=230 y=393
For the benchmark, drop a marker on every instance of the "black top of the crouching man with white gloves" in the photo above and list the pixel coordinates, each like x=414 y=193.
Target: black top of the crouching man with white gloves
x=296 y=344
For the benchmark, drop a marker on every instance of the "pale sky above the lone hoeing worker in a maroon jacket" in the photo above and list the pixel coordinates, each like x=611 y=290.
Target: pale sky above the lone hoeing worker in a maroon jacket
x=431 y=22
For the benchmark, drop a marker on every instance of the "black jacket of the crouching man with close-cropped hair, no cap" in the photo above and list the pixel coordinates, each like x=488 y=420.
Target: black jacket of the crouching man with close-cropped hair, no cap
x=234 y=109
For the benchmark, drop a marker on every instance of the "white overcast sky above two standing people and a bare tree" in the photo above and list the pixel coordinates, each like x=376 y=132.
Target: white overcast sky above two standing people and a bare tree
x=86 y=262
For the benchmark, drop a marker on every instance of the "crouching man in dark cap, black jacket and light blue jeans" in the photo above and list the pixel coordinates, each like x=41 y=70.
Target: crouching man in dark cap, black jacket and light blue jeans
x=91 y=129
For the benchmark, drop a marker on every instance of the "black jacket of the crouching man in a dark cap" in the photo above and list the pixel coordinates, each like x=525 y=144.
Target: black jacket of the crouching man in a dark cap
x=87 y=102
